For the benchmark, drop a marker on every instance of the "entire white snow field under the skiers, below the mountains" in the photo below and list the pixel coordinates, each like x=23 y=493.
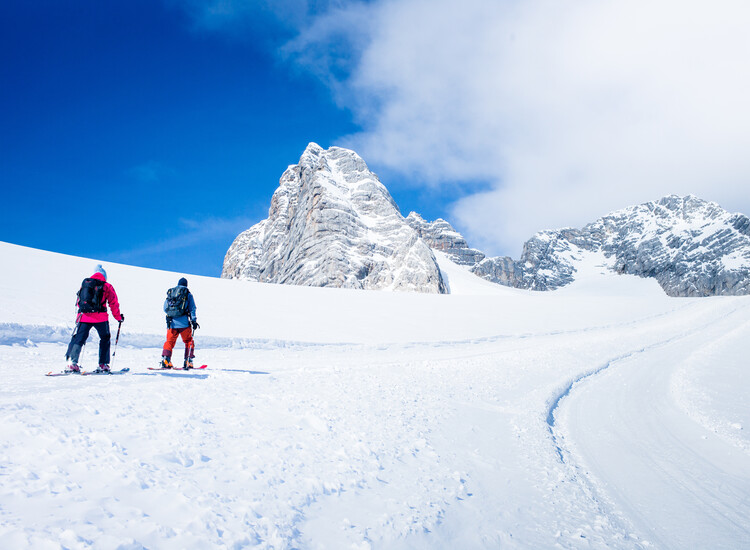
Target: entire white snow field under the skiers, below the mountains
x=601 y=415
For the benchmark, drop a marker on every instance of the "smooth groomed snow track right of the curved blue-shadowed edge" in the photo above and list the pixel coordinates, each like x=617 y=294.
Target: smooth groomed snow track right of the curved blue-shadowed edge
x=672 y=488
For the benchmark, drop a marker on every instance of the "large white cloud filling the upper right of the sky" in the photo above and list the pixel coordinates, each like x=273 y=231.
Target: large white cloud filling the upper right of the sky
x=567 y=110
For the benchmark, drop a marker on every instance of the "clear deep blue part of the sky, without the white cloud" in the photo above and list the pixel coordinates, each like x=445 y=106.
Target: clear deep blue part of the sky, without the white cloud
x=132 y=135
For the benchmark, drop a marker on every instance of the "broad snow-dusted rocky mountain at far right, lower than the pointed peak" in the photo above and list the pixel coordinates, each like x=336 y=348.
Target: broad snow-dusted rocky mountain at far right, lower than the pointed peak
x=690 y=246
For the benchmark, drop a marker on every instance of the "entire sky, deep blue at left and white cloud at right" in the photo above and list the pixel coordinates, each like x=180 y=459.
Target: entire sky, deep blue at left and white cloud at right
x=153 y=132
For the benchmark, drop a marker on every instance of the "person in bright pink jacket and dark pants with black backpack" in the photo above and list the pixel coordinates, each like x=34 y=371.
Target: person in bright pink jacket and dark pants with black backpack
x=93 y=297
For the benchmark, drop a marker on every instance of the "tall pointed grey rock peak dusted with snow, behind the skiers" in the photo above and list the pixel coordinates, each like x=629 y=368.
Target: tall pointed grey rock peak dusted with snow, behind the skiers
x=332 y=223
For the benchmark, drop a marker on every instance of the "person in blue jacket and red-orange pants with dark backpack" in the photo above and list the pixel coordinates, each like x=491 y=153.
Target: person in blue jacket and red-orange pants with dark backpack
x=181 y=321
